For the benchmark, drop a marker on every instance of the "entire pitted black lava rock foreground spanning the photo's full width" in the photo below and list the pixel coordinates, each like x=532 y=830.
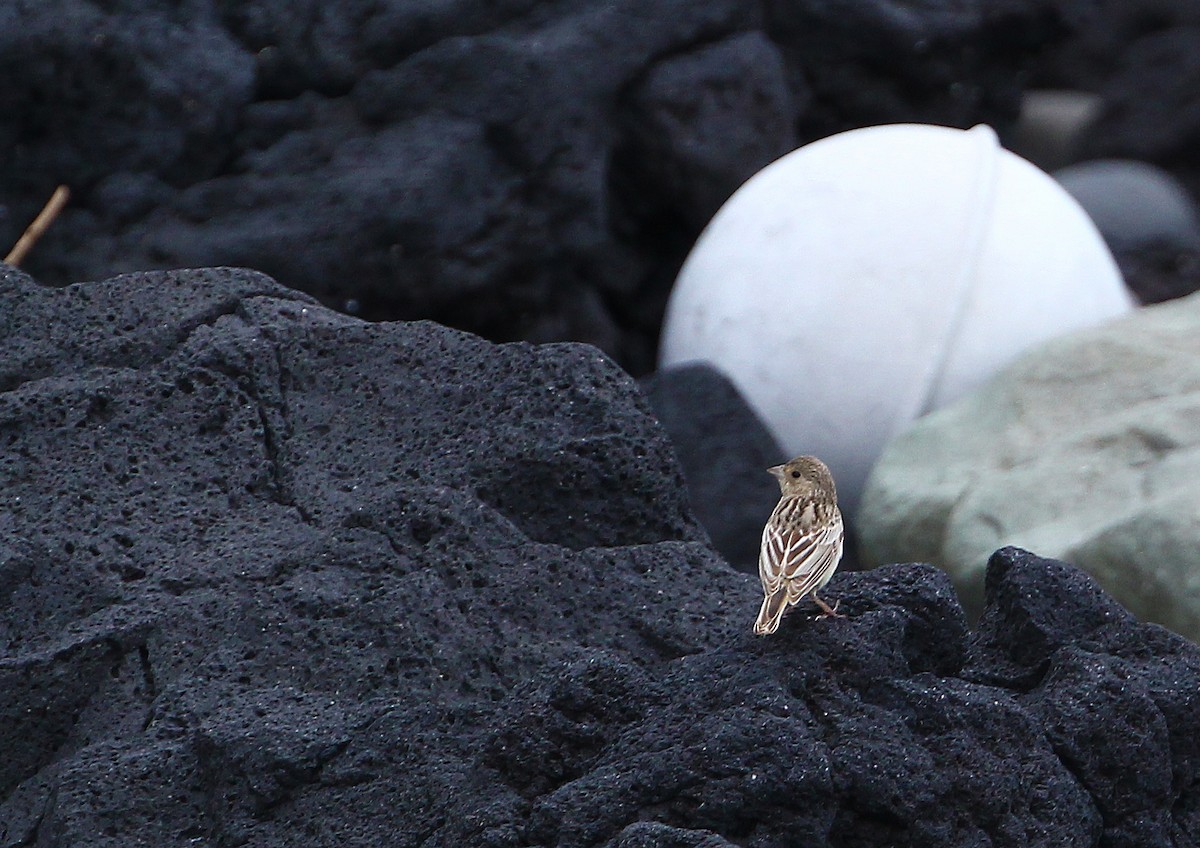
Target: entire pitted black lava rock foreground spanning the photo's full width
x=274 y=576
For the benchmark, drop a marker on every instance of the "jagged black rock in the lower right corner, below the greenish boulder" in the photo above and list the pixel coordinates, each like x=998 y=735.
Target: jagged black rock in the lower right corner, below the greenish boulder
x=1105 y=688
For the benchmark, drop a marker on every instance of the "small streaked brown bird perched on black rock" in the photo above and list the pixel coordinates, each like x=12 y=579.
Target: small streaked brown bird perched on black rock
x=802 y=542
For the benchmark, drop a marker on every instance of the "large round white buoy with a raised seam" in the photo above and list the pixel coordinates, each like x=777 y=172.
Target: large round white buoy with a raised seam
x=869 y=278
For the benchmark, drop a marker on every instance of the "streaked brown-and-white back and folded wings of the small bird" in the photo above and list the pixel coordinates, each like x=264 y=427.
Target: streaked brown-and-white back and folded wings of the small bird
x=800 y=556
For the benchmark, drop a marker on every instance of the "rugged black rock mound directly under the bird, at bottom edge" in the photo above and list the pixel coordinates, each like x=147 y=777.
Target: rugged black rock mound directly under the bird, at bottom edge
x=837 y=733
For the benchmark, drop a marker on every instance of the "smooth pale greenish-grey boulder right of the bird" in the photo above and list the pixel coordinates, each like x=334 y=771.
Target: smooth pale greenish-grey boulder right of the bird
x=1089 y=448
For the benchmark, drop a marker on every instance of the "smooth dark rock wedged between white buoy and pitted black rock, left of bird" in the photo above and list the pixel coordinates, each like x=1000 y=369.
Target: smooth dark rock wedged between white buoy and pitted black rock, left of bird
x=724 y=449
